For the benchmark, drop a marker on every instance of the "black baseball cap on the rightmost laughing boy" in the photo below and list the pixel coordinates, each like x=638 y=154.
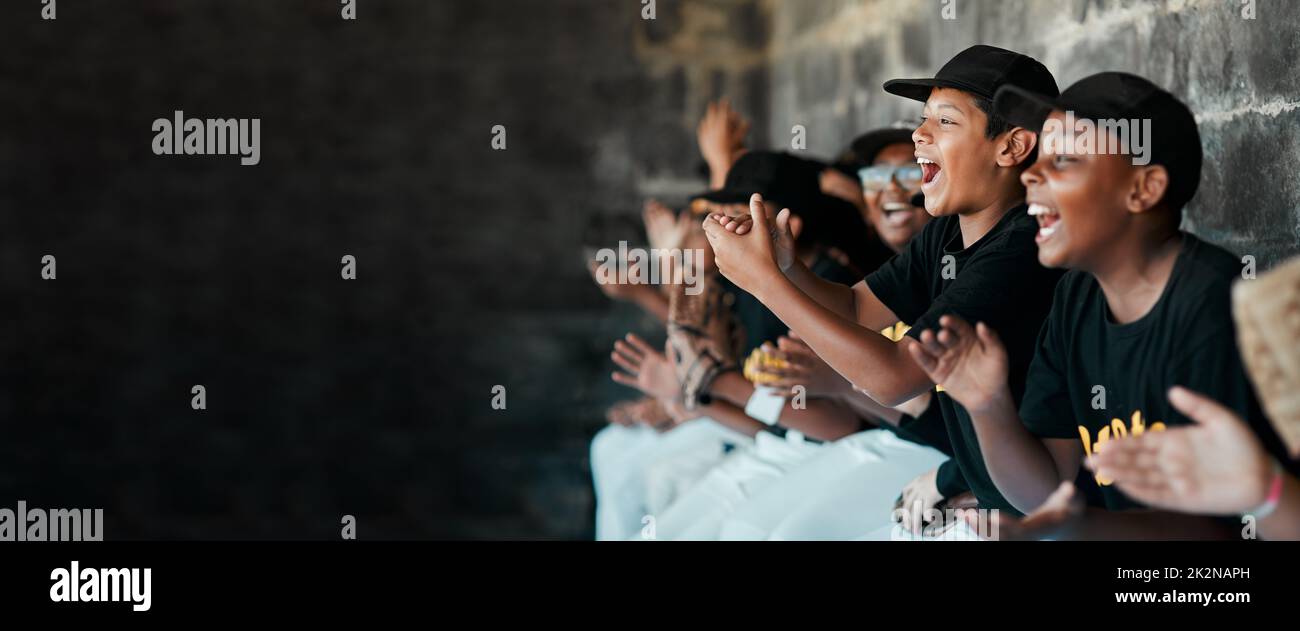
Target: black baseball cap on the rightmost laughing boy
x=1176 y=141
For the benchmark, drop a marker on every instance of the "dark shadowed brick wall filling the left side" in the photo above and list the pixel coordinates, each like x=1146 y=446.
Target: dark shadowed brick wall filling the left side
x=331 y=397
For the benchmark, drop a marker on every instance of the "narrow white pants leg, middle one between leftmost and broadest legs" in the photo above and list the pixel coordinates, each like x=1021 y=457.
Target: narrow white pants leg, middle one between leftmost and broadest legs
x=700 y=513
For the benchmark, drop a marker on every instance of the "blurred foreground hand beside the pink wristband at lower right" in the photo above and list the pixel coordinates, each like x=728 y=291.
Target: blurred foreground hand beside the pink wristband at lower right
x=1216 y=466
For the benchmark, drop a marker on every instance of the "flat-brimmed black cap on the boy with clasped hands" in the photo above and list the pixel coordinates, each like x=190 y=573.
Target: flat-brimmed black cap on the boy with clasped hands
x=981 y=71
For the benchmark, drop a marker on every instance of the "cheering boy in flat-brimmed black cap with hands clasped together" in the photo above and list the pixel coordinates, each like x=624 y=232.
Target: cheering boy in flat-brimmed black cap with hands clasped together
x=977 y=258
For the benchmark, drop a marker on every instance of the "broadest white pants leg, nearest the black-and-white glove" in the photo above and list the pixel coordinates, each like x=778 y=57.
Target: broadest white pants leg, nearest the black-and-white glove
x=844 y=492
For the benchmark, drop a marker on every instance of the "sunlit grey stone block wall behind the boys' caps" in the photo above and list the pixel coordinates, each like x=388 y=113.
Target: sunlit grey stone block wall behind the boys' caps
x=830 y=58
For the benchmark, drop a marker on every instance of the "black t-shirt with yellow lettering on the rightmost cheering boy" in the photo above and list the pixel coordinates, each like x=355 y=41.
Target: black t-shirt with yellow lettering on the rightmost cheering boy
x=1086 y=361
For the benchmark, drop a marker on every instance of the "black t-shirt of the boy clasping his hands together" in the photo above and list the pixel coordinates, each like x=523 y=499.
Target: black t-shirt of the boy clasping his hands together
x=999 y=282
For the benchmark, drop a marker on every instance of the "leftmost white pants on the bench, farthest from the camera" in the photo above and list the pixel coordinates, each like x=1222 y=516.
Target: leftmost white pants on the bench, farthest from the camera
x=622 y=457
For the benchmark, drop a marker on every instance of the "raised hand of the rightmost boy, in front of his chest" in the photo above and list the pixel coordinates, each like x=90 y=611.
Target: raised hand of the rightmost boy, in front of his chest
x=970 y=364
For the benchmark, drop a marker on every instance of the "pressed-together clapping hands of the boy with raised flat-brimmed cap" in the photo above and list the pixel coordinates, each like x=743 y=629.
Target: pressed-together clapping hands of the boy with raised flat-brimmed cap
x=752 y=253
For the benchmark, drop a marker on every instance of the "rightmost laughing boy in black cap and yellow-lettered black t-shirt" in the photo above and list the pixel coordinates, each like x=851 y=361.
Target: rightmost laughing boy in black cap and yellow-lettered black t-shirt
x=1143 y=309
